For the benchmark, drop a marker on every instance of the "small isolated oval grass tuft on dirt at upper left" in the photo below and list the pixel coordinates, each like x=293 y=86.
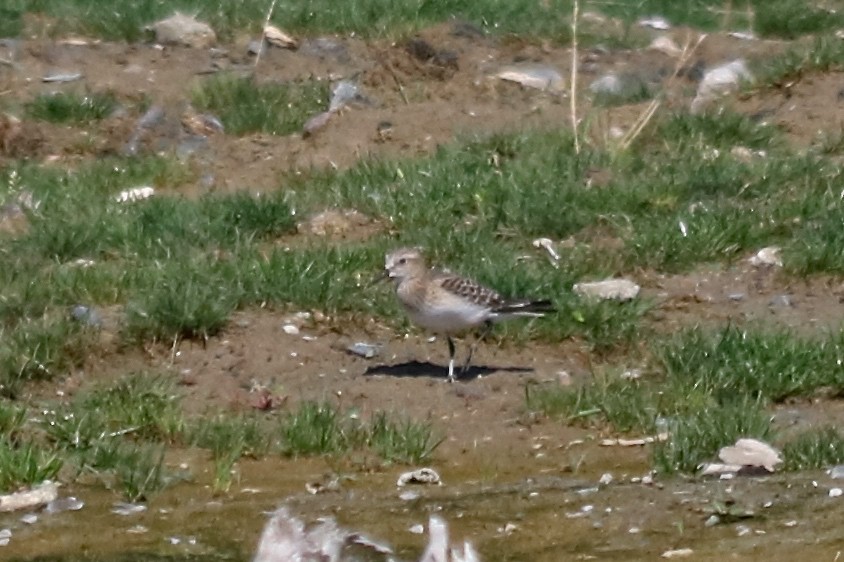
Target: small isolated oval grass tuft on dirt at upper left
x=72 y=107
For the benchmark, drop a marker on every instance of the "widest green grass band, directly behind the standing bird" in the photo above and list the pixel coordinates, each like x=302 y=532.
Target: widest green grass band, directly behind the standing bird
x=182 y=266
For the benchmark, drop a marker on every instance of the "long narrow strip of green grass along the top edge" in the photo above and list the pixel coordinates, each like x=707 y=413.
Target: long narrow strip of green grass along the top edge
x=374 y=18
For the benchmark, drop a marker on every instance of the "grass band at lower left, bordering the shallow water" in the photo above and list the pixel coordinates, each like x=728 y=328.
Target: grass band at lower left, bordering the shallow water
x=119 y=433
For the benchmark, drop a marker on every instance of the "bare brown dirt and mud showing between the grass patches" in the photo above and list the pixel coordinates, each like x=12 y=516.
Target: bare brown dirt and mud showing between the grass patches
x=490 y=444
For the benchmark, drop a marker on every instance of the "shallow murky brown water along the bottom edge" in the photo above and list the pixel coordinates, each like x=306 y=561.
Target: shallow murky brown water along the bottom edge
x=549 y=515
